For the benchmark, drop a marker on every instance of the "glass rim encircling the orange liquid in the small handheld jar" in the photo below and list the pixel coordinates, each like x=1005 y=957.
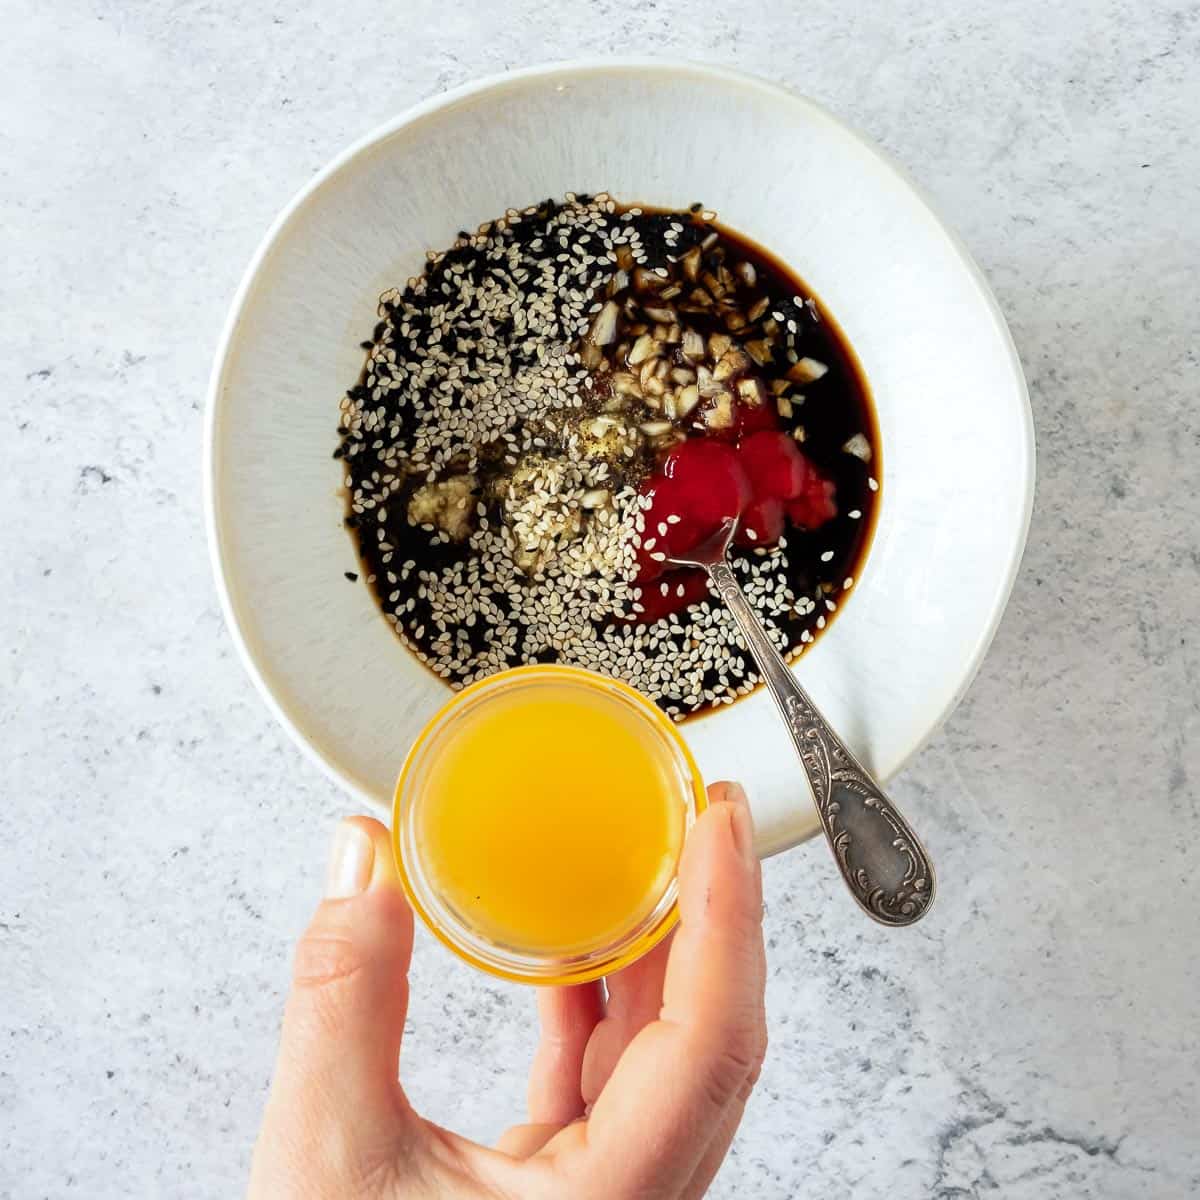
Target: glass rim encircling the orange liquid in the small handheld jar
x=471 y=945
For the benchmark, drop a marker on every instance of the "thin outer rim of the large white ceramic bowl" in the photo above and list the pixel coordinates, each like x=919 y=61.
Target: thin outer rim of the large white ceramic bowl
x=597 y=65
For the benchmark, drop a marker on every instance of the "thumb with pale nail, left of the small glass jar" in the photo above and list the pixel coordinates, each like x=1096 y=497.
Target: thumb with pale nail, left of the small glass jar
x=345 y=1018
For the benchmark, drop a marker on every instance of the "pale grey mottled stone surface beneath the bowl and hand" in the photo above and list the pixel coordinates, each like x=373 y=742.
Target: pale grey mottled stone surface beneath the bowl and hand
x=164 y=842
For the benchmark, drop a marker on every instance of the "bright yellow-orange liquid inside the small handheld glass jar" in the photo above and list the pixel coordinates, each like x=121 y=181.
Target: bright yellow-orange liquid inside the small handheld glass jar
x=553 y=820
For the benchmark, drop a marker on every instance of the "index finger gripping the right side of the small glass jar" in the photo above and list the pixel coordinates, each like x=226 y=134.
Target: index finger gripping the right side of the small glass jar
x=682 y=1075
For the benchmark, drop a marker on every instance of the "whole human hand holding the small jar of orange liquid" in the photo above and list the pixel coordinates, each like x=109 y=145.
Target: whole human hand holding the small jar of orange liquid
x=633 y=1096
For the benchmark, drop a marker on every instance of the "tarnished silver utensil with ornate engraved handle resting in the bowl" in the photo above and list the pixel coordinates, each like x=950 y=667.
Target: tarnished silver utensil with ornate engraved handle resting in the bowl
x=881 y=860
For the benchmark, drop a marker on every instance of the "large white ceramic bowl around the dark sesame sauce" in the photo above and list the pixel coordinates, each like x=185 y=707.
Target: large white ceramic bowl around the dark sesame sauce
x=953 y=411
